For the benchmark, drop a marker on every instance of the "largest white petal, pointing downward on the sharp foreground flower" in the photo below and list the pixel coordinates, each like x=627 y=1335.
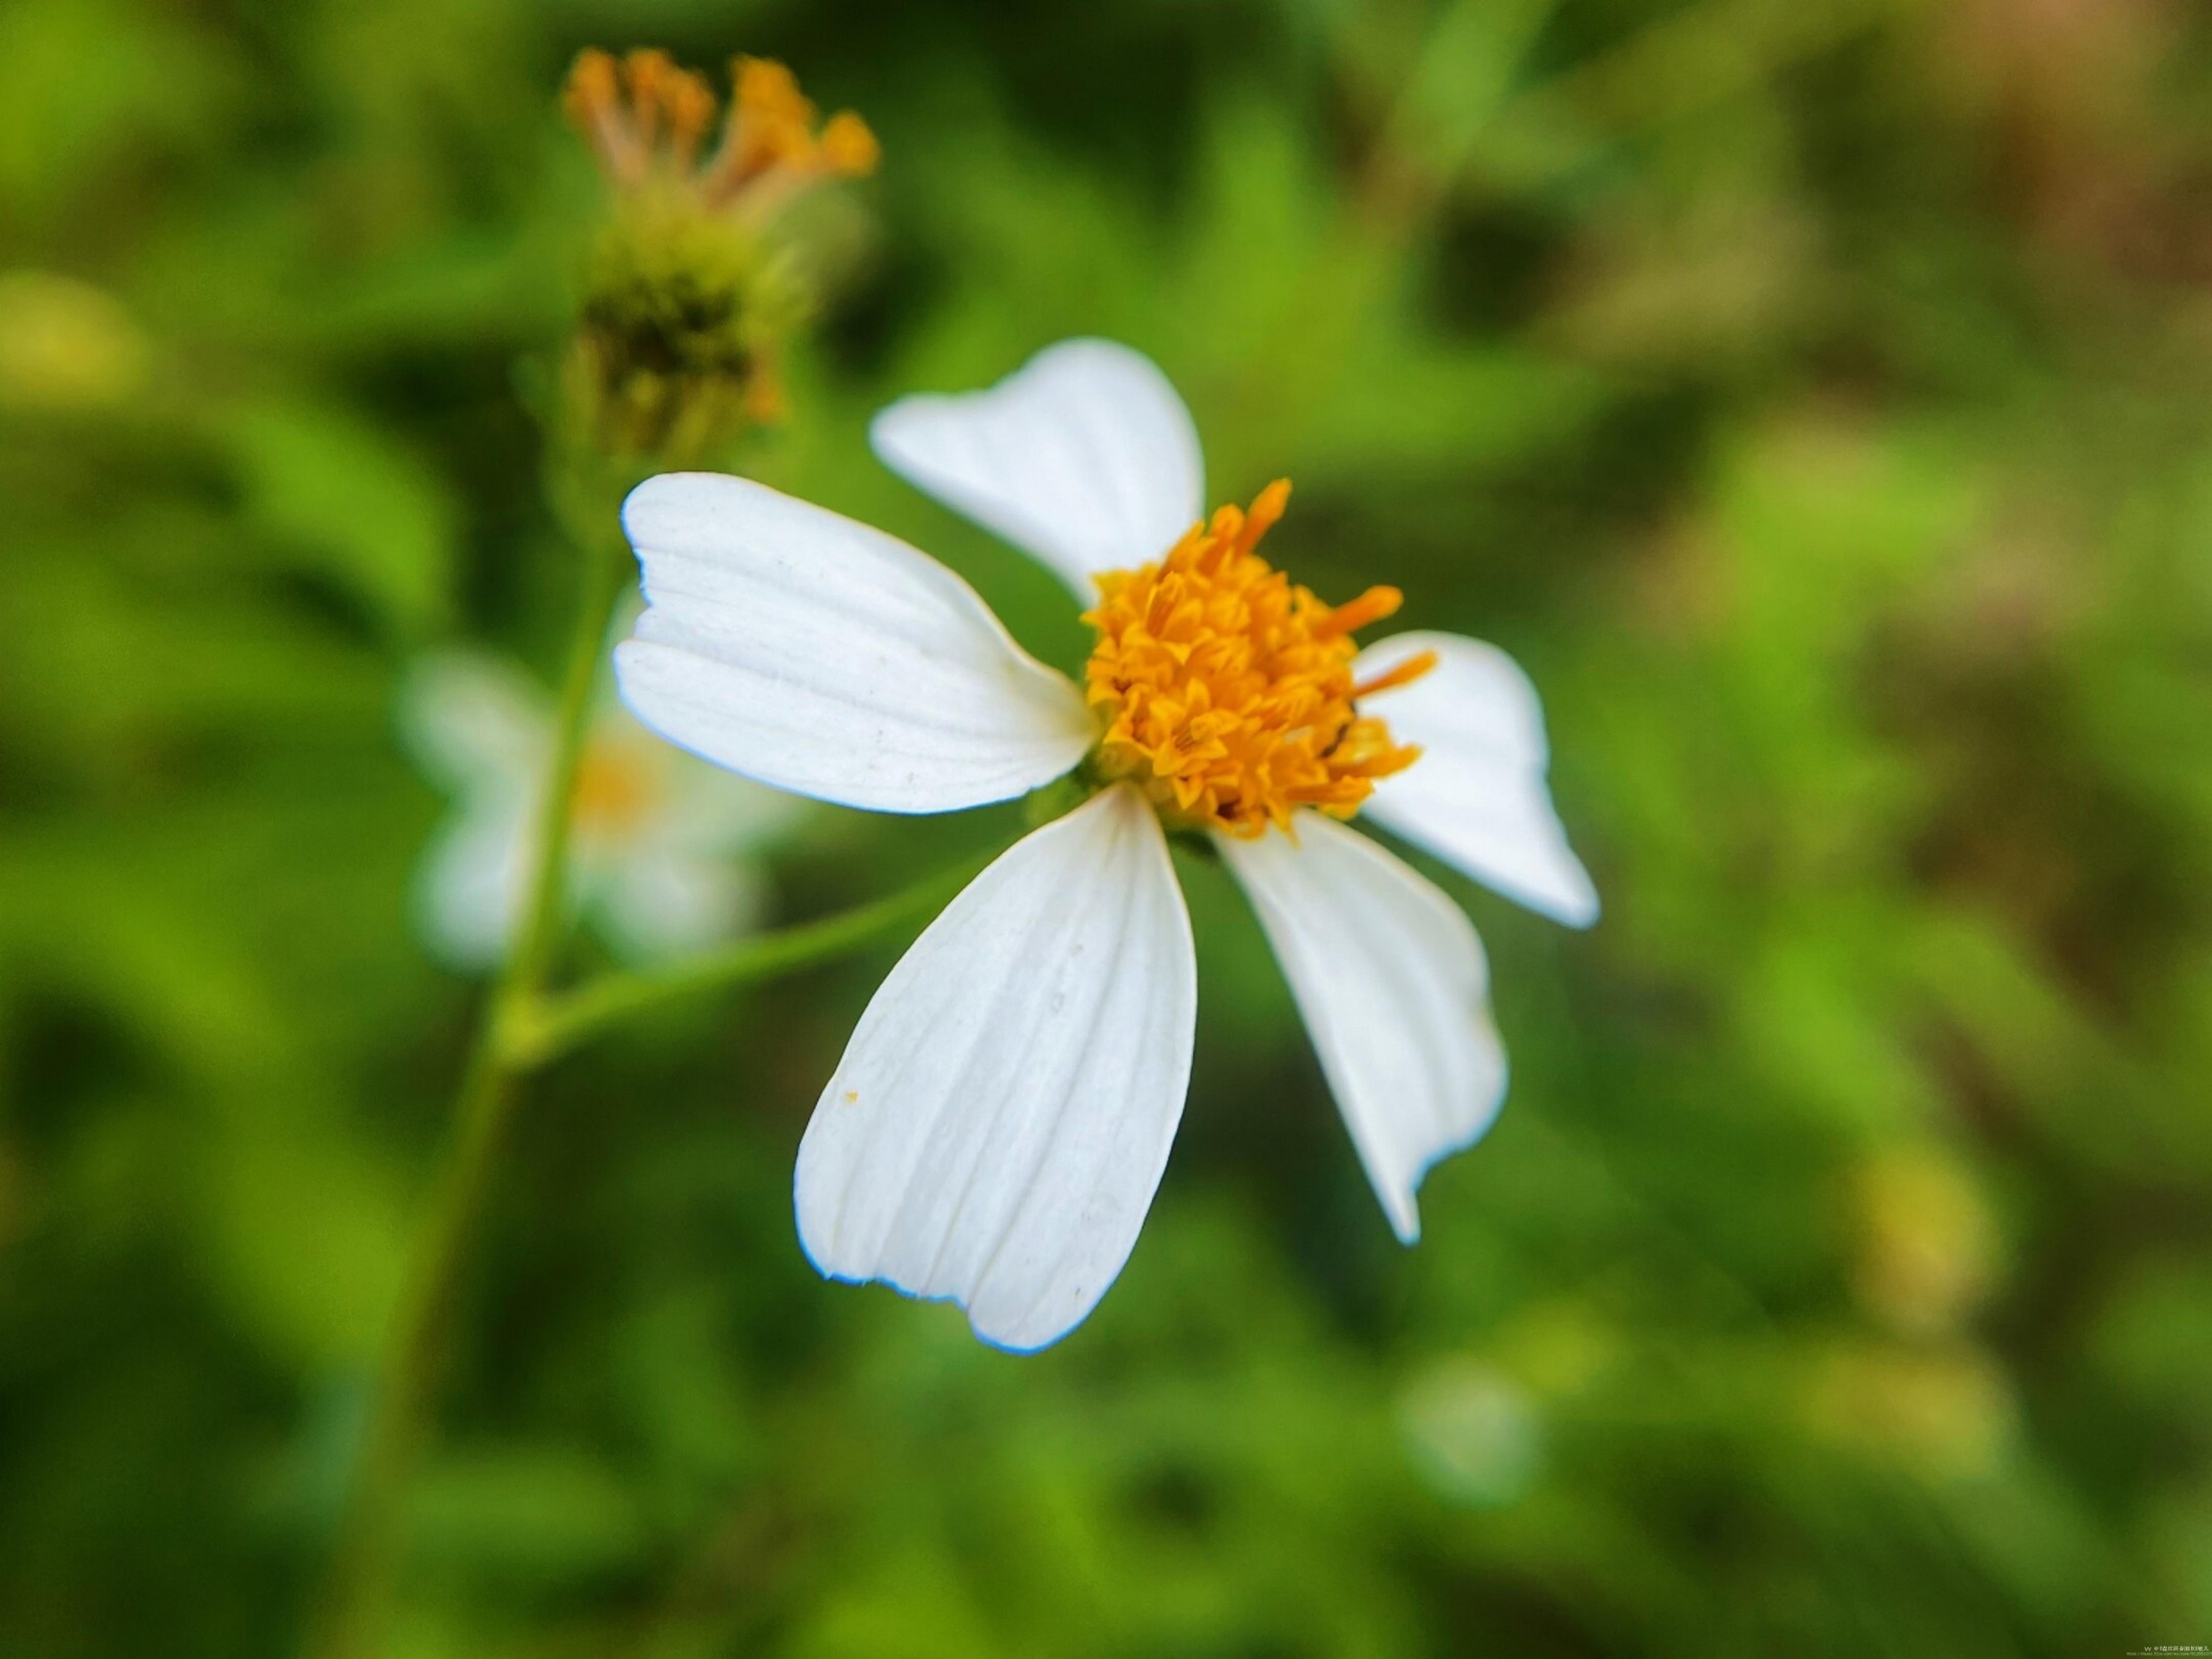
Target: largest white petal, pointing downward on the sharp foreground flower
x=1005 y=1109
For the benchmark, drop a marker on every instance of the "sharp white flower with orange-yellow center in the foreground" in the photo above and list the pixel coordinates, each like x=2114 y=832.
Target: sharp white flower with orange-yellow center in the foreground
x=1003 y=1114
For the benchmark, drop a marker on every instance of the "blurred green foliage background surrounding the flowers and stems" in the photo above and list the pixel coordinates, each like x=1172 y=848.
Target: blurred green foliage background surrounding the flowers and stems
x=1813 y=395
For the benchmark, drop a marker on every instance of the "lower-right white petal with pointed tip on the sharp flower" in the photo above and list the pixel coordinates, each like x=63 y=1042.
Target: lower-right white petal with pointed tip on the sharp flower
x=1395 y=992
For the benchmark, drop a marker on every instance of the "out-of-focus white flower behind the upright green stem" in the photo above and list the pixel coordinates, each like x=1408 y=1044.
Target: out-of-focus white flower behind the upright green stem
x=660 y=842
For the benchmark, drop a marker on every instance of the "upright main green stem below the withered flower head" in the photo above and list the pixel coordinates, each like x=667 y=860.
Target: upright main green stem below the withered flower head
x=483 y=1105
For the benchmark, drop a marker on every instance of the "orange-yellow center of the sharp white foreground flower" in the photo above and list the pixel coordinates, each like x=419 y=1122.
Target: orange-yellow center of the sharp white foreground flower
x=1229 y=691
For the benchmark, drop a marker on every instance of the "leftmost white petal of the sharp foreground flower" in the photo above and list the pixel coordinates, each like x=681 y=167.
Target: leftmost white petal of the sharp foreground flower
x=833 y=660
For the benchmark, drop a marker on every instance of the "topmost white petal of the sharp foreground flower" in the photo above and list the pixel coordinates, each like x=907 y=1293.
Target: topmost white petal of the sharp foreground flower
x=1083 y=457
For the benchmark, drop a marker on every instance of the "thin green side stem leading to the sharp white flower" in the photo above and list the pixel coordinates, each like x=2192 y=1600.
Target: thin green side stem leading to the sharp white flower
x=552 y=1027
